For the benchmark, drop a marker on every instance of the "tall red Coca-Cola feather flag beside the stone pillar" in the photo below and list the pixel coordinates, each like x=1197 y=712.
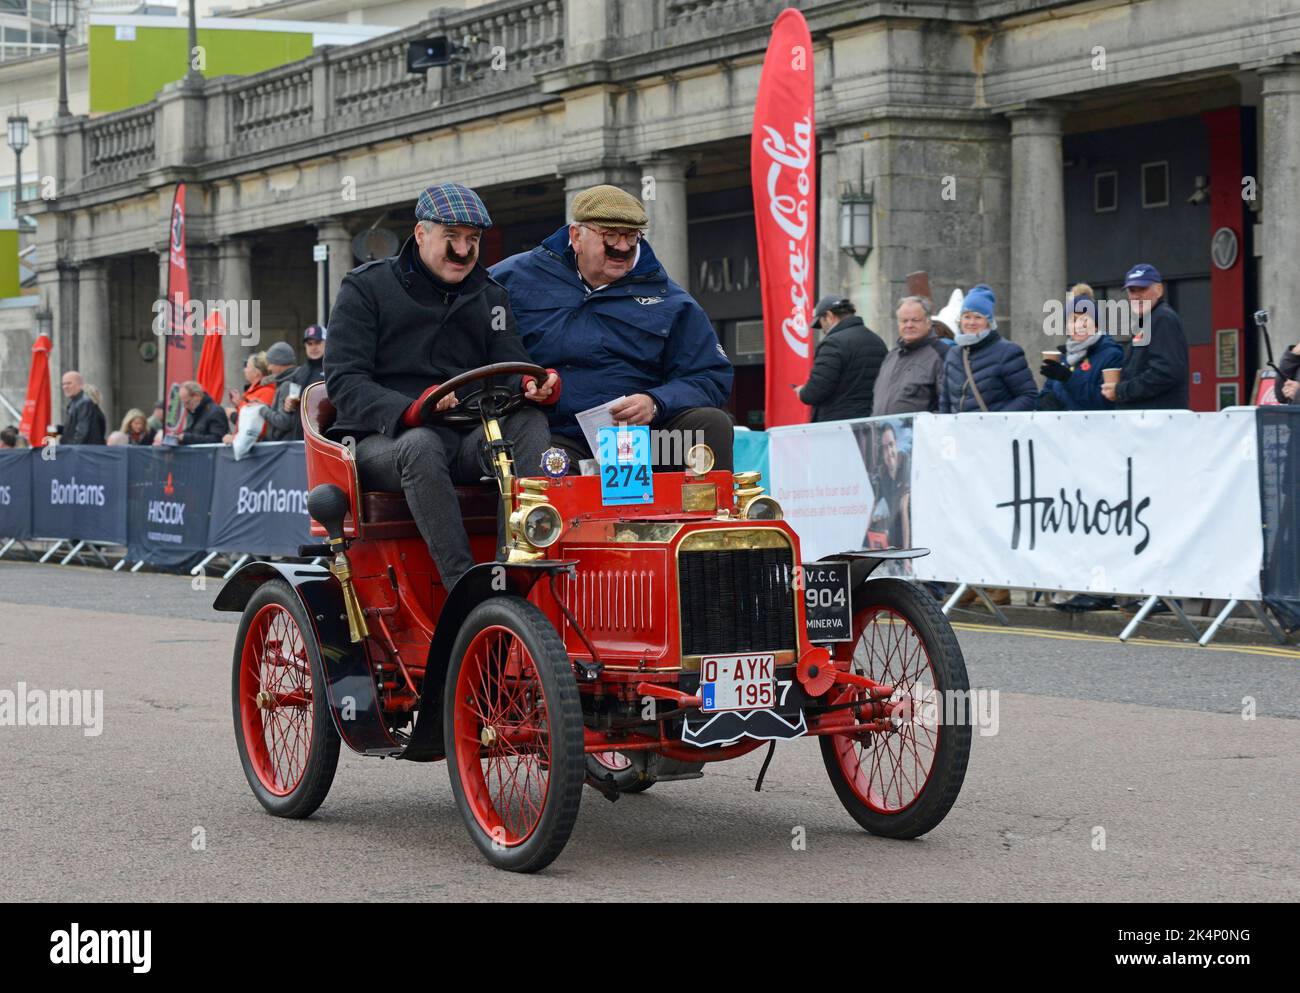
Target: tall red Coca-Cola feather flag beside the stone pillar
x=783 y=174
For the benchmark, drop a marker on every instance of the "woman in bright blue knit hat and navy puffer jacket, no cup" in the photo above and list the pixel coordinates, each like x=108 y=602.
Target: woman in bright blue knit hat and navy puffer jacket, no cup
x=985 y=372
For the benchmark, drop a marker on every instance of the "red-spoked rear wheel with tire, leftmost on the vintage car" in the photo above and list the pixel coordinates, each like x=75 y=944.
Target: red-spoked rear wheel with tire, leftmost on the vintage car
x=285 y=734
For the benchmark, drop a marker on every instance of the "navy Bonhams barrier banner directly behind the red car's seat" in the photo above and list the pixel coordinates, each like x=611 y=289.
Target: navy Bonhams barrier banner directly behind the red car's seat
x=259 y=504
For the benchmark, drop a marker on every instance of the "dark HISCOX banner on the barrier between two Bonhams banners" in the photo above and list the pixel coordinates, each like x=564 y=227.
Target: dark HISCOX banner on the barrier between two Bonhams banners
x=171 y=489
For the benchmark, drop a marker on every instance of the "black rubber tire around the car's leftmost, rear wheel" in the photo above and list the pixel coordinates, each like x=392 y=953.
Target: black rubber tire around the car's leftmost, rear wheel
x=323 y=756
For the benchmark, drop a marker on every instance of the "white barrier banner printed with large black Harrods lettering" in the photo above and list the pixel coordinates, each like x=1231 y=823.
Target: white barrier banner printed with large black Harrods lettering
x=1154 y=502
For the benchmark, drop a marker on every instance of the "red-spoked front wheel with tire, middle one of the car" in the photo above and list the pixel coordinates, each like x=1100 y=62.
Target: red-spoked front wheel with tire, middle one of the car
x=514 y=735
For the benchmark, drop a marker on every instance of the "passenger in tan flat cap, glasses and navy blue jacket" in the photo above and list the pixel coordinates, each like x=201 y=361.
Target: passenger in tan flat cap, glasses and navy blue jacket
x=595 y=303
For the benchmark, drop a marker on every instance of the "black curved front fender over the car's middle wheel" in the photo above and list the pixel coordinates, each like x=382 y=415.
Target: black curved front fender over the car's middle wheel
x=489 y=579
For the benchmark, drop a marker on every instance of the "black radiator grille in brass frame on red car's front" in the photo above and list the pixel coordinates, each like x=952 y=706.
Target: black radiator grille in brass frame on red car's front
x=736 y=601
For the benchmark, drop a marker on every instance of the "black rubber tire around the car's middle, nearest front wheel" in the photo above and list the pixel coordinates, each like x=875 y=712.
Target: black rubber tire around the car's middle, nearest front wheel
x=565 y=713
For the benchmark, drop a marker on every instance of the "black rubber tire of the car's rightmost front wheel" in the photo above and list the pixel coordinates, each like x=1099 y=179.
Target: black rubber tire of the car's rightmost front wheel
x=955 y=744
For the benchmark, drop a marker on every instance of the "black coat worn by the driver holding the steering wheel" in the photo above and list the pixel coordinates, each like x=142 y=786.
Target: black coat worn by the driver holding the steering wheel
x=395 y=332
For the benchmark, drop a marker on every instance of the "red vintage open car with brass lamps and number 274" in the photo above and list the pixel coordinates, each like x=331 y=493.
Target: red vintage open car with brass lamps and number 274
x=608 y=645
